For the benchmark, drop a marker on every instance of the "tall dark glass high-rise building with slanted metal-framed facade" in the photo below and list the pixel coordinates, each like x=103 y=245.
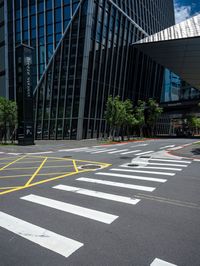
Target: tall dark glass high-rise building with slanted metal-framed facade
x=82 y=53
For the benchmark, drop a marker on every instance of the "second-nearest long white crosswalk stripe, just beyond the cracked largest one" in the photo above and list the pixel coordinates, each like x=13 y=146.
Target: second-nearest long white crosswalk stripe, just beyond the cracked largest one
x=74 y=209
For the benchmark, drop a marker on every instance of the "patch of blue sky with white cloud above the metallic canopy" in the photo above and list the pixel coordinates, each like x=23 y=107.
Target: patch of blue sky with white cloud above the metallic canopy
x=186 y=8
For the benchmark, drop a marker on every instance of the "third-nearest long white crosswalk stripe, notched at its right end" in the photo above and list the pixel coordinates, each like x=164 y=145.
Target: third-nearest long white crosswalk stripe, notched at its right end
x=98 y=194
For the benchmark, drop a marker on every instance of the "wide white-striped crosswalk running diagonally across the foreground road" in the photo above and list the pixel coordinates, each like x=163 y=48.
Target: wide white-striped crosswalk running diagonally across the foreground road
x=121 y=178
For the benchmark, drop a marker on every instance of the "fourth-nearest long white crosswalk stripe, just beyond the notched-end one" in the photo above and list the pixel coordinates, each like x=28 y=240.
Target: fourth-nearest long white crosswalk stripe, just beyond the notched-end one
x=116 y=184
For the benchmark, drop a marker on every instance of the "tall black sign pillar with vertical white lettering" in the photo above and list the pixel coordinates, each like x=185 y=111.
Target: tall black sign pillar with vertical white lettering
x=24 y=95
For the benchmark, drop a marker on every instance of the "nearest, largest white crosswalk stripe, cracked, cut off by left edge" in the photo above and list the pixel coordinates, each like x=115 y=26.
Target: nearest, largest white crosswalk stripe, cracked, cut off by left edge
x=45 y=238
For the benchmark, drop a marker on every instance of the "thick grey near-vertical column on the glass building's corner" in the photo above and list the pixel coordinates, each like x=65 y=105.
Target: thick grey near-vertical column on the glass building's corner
x=85 y=69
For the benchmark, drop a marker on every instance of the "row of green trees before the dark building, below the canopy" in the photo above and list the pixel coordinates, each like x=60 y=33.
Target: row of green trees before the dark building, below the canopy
x=121 y=116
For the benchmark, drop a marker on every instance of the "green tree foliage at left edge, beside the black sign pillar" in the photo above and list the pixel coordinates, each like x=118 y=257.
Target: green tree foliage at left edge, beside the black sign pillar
x=8 y=116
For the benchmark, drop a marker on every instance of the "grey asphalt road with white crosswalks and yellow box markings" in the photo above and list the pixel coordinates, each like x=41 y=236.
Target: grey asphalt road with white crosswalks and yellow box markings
x=88 y=207
